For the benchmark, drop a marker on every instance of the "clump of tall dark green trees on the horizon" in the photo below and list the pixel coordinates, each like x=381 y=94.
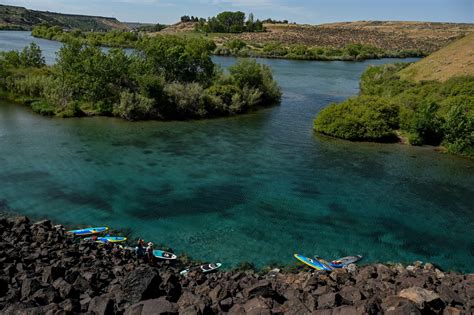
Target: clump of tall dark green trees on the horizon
x=230 y=22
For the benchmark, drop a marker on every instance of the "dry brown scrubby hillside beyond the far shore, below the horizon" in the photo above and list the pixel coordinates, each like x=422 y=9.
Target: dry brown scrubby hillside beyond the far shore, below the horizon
x=389 y=36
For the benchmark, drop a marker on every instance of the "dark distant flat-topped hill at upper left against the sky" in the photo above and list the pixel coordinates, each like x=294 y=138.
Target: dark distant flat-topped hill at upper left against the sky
x=12 y=17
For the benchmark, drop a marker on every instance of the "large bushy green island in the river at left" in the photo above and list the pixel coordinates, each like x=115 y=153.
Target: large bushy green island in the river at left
x=167 y=77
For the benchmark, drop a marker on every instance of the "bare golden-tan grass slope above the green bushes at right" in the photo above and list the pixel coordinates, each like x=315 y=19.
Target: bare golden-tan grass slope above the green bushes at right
x=456 y=59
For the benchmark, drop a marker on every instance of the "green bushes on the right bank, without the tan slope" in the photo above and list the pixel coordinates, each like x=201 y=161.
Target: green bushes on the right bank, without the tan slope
x=431 y=113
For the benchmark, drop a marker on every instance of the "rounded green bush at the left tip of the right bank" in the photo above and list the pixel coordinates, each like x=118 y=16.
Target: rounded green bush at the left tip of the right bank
x=368 y=118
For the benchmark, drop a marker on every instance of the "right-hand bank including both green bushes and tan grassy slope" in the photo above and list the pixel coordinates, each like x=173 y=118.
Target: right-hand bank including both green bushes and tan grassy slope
x=428 y=102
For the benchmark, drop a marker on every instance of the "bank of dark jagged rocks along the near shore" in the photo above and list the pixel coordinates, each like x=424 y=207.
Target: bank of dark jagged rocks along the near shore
x=44 y=271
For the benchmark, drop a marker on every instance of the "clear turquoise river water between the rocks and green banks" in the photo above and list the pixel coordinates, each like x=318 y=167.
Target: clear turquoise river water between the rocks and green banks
x=255 y=188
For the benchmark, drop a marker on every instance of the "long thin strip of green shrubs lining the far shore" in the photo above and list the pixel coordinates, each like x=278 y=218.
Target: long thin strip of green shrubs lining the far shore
x=230 y=46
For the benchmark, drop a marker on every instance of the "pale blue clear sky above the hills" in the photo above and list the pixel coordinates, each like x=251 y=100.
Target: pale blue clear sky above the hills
x=300 y=11
